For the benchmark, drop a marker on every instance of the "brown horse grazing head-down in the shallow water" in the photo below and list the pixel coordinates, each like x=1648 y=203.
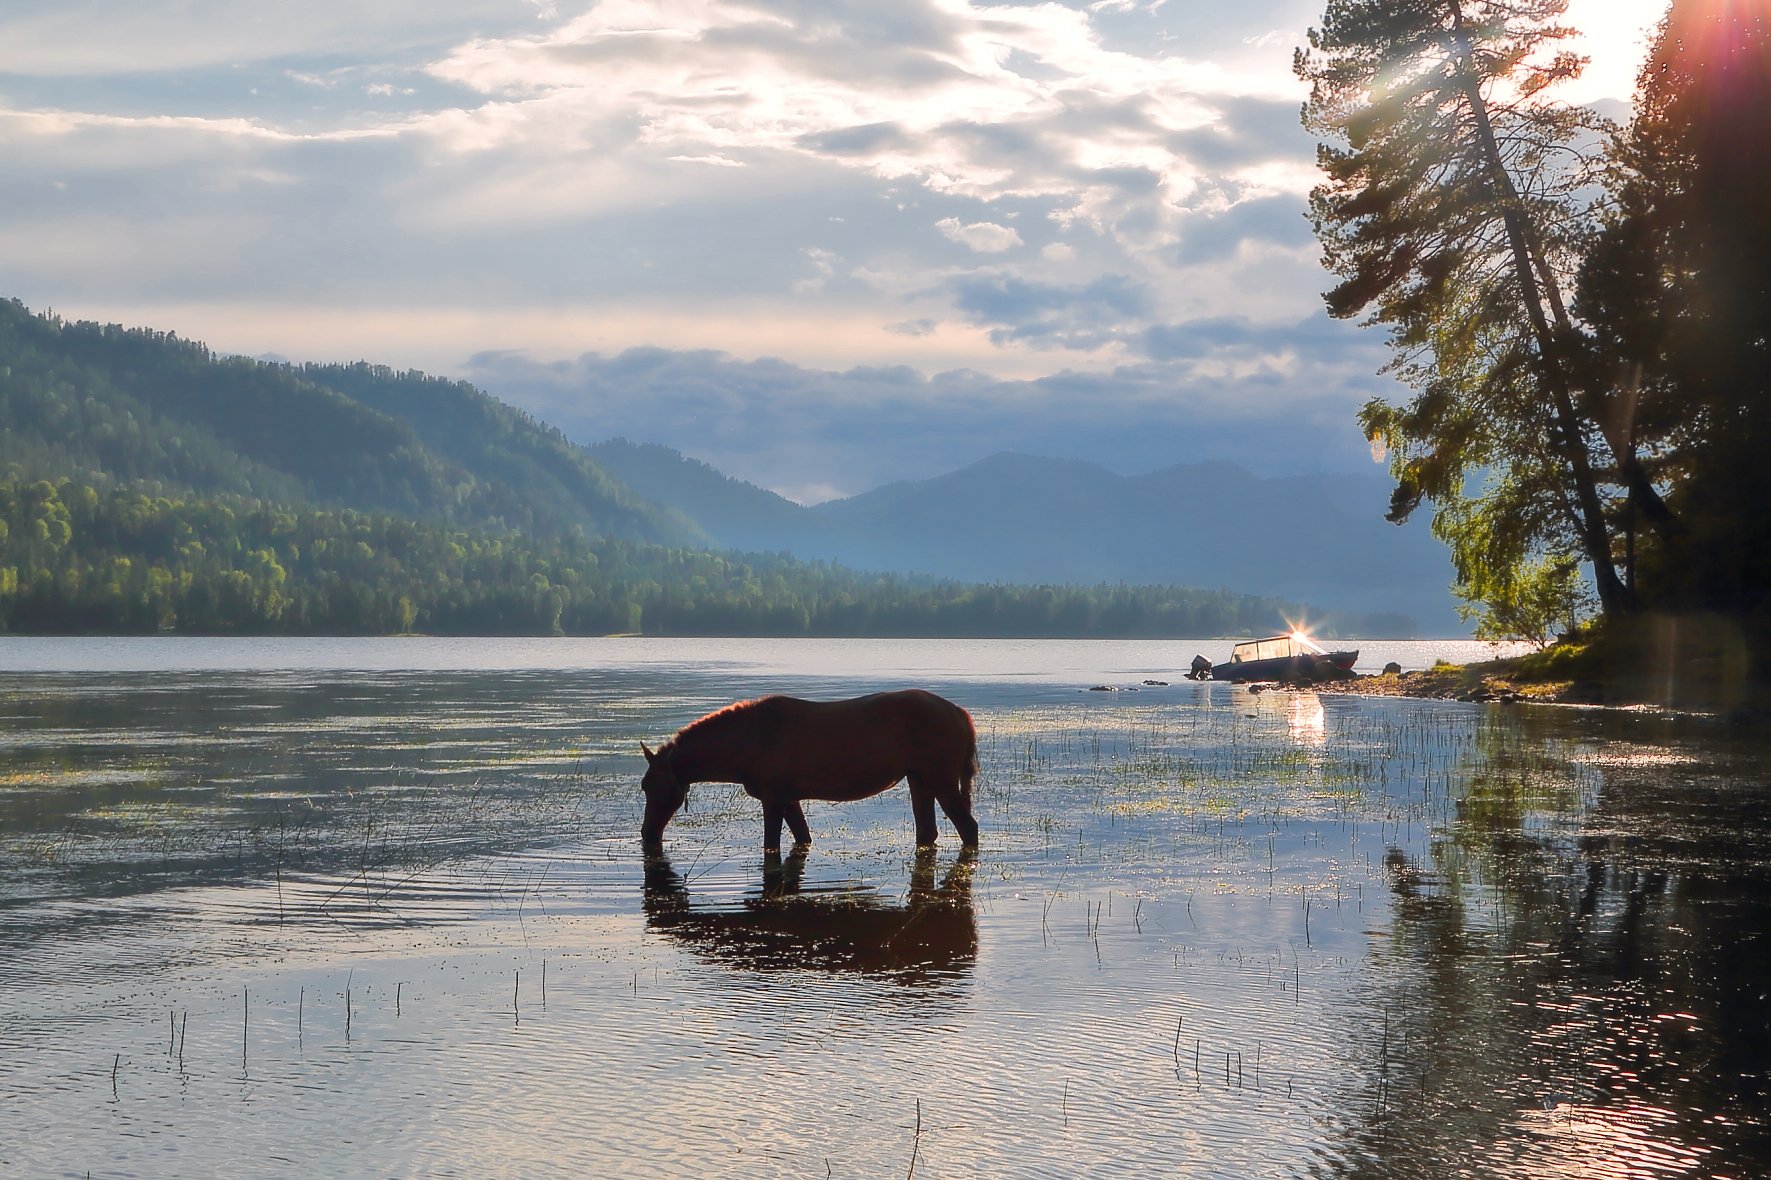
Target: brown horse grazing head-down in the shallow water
x=784 y=750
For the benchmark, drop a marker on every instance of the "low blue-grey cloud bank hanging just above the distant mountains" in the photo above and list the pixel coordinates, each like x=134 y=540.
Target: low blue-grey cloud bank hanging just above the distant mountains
x=821 y=435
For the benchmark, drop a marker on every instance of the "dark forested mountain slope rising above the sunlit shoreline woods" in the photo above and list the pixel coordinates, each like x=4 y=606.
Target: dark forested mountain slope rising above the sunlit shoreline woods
x=135 y=407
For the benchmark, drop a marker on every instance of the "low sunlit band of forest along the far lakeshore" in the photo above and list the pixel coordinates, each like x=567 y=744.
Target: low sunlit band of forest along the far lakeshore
x=125 y=561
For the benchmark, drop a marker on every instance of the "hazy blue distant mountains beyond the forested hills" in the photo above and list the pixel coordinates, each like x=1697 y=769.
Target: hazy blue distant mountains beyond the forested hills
x=1033 y=520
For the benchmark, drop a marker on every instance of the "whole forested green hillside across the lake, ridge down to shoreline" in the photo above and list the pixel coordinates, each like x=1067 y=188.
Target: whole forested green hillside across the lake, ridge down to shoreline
x=151 y=486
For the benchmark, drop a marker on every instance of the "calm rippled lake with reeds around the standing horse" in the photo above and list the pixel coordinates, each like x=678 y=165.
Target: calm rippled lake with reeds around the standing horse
x=376 y=908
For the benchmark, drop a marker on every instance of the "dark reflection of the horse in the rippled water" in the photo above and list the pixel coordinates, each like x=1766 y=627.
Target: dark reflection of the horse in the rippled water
x=931 y=938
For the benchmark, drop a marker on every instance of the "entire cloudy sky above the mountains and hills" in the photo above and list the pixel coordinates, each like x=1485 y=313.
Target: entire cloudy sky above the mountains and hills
x=817 y=244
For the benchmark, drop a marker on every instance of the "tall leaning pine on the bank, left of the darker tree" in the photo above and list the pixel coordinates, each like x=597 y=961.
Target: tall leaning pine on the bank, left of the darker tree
x=1453 y=215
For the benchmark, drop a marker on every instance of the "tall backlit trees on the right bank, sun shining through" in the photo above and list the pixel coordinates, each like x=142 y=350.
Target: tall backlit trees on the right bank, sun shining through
x=1581 y=307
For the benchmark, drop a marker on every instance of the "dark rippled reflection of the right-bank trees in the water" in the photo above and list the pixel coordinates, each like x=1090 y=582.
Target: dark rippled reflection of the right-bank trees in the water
x=1581 y=972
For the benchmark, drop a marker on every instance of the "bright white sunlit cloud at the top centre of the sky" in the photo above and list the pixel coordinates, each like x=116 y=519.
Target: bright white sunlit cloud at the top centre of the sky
x=980 y=102
